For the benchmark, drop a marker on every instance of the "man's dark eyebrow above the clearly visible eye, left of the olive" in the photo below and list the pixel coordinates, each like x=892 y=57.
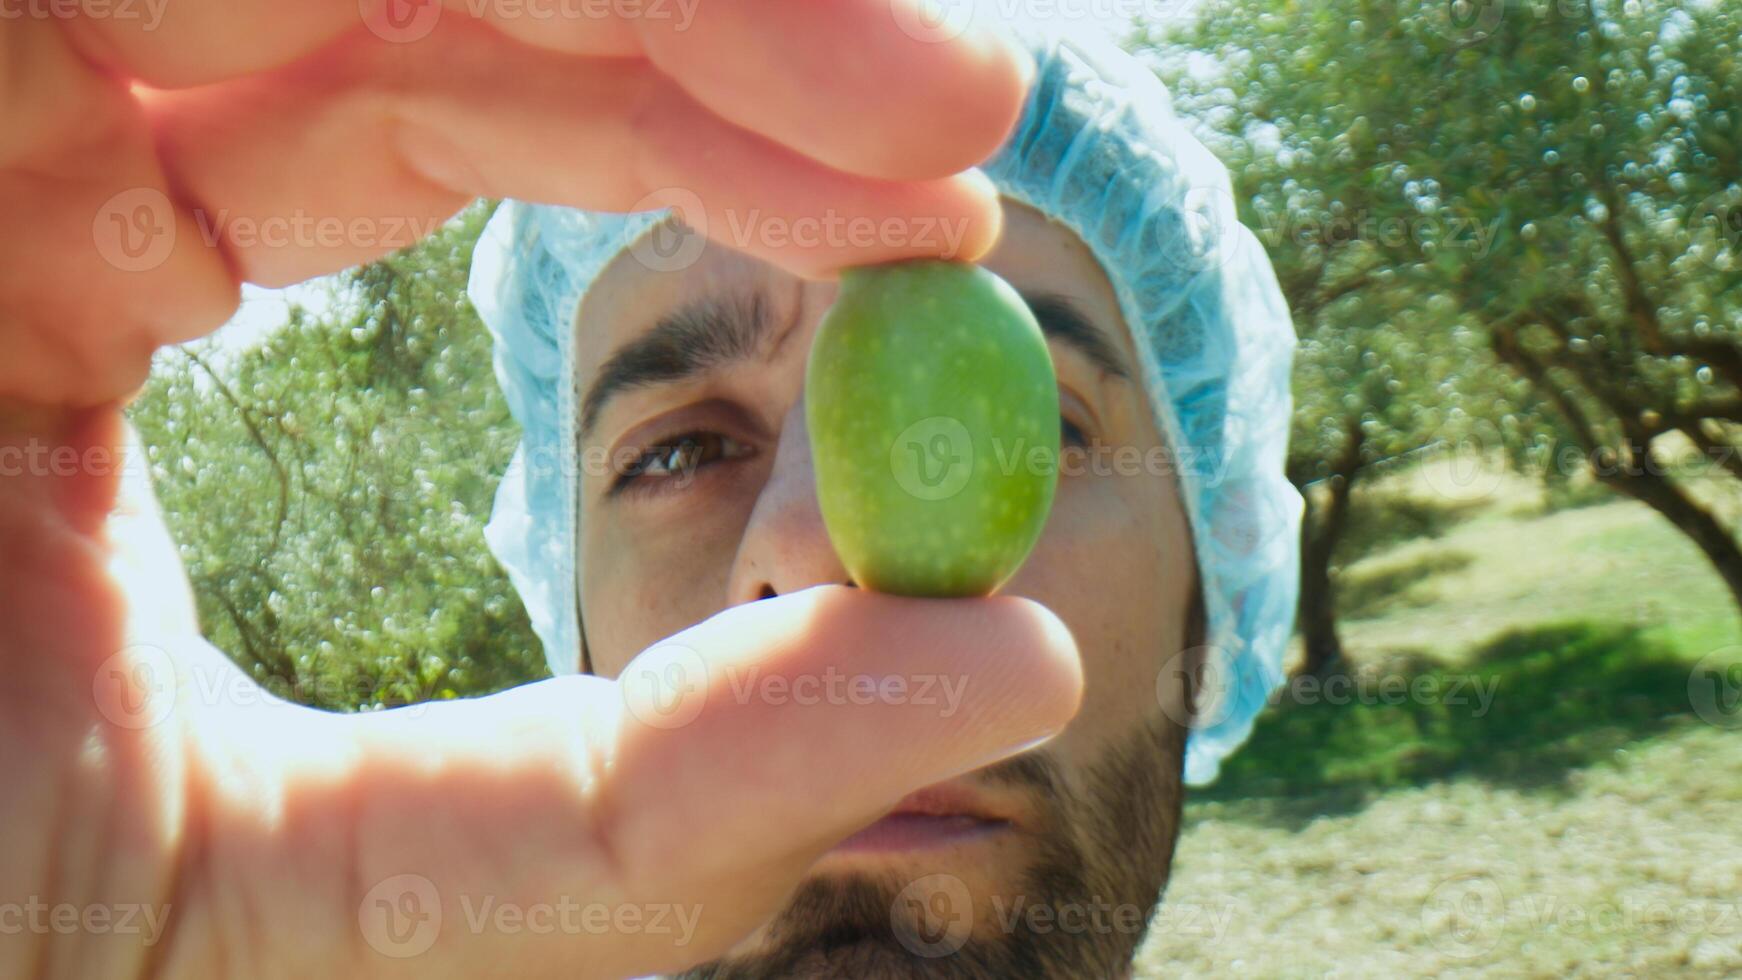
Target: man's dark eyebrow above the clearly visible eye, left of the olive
x=682 y=346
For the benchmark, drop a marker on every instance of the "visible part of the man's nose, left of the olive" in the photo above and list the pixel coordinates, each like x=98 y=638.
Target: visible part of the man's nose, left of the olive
x=787 y=546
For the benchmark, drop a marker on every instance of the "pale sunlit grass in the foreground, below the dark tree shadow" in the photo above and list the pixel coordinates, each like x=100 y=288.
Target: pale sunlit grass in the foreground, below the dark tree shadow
x=1626 y=868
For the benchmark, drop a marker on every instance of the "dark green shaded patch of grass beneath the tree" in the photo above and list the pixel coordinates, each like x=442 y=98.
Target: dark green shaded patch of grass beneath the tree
x=1527 y=708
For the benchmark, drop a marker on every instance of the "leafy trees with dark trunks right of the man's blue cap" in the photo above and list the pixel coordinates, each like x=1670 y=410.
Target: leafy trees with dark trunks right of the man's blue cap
x=1501 y=227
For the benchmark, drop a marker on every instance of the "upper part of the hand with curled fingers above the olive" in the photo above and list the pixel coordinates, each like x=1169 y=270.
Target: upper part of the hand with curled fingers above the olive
x=276 y=142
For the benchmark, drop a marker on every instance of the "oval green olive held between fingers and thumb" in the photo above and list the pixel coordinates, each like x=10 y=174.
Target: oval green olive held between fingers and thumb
x=935 y=427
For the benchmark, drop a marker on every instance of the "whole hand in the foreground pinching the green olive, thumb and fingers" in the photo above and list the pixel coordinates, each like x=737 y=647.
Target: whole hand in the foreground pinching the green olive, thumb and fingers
x=144 y=770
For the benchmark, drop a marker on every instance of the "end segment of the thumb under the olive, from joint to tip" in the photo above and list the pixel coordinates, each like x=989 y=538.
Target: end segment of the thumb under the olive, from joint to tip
x=832 y=704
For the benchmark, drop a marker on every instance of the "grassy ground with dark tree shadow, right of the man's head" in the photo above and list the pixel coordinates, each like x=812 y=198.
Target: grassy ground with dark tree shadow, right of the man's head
x=1583 y=824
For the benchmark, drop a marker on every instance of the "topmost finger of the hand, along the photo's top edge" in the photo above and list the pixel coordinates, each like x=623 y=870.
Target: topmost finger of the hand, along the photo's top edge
x=872 y=88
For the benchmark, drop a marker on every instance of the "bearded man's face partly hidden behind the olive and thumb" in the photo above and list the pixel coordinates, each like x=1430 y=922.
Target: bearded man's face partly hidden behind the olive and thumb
x=1044 y=866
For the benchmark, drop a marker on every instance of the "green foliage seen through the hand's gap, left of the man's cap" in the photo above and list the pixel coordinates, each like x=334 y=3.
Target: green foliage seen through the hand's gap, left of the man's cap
x=330 y=490
